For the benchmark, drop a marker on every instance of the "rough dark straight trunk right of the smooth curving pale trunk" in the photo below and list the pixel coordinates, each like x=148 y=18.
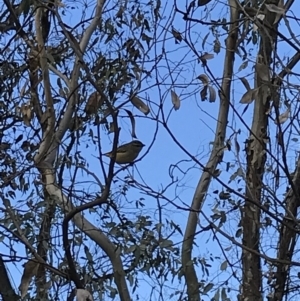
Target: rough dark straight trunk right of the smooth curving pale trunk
x=256 y=159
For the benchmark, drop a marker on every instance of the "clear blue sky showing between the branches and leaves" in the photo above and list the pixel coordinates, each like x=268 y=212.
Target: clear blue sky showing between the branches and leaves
x=193 y=126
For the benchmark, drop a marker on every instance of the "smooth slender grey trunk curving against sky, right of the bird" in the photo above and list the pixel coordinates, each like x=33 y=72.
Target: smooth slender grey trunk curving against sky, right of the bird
x=215 y=157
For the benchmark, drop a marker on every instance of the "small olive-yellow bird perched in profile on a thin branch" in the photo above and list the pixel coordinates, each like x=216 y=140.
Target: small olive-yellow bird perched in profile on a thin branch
x=126 y=153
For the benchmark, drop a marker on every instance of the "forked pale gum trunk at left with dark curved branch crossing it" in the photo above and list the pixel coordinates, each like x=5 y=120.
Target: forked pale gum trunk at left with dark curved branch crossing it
x=46 y=155
